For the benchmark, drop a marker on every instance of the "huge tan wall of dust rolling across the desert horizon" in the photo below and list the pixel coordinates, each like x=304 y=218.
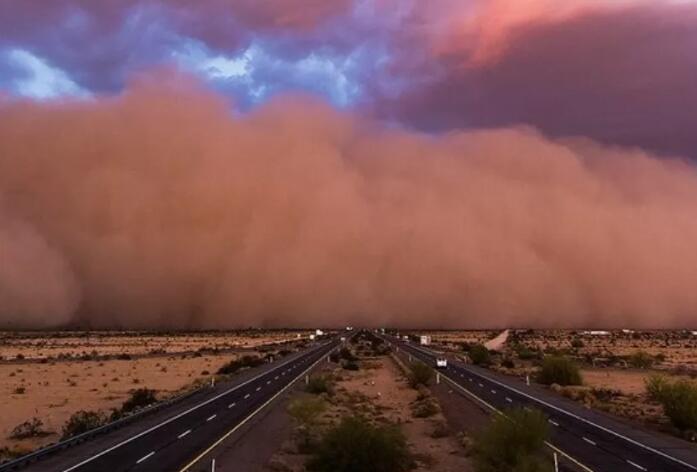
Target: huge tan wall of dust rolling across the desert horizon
x=162 y=208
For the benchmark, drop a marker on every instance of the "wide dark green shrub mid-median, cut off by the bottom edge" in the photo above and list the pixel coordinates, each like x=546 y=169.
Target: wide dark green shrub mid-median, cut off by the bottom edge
x=356 y=445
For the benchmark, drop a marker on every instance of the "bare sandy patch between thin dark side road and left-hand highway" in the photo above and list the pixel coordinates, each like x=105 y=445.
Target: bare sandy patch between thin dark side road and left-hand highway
x=54 y=391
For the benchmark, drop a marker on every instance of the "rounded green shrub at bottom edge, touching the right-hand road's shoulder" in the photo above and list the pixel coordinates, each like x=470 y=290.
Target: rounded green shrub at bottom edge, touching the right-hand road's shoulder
x=512 y=443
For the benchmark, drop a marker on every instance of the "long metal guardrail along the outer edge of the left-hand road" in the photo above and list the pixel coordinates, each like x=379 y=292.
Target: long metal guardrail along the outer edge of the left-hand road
x=24 y=461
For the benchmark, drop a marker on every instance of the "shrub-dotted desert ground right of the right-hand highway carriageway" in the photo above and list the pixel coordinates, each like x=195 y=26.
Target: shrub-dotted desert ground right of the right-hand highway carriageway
x=615 y=364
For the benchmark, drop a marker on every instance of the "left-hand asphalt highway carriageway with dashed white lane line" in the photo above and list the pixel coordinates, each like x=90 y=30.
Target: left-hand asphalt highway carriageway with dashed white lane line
x=187 y=431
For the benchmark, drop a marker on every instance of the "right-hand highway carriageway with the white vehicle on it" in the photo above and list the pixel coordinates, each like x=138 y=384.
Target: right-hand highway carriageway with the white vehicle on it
x=595 y=440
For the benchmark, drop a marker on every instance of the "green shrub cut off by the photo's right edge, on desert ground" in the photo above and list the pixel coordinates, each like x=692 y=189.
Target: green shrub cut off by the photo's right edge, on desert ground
x=678 y=398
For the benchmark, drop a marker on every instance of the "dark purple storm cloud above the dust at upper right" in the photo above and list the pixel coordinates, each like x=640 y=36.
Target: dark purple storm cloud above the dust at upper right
x=627 y=76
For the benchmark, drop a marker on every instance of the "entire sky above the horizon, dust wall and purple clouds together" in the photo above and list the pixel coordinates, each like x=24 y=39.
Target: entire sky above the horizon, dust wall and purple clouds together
x=534 y=157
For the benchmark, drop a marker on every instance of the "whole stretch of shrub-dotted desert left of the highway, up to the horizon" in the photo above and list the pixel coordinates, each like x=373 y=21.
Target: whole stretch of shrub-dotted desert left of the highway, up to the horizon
x=61 y=374
